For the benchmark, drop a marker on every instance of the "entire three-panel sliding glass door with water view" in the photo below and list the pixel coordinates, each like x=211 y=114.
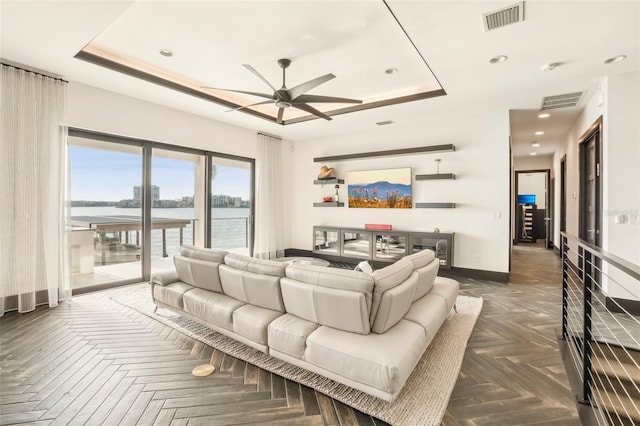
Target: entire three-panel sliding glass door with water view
x=135 y=202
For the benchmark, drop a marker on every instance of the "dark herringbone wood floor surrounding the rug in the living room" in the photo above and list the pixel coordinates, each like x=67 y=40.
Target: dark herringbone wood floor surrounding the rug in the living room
x=92 y=361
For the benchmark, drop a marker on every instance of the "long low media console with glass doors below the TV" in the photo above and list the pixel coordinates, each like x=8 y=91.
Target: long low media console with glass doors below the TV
x=381 y=246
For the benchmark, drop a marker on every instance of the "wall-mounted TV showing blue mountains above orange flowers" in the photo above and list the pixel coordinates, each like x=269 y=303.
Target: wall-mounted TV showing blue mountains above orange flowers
x=386 y=189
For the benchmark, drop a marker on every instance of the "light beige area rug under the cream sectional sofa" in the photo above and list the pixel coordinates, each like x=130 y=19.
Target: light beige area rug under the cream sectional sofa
x=422 y=401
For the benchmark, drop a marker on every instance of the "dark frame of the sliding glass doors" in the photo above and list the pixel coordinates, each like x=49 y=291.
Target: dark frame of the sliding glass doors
x=147 y=157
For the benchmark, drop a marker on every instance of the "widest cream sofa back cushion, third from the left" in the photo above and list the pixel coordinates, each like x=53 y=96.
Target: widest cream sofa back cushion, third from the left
x=333 y=297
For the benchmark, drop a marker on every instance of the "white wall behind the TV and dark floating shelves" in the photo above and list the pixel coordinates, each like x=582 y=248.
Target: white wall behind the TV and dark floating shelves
x=480 y=191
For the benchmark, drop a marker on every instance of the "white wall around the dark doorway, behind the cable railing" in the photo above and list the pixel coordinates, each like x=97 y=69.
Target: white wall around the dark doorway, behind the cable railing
x=620 y=108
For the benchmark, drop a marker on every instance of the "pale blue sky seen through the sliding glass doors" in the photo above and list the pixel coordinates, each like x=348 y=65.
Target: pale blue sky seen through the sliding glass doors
x=101 y=175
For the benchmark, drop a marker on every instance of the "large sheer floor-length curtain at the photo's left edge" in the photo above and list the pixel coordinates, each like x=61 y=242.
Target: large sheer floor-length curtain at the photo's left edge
x=34 y=266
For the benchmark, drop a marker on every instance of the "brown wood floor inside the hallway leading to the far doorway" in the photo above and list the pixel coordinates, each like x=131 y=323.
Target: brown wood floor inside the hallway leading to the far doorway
x=531 y=263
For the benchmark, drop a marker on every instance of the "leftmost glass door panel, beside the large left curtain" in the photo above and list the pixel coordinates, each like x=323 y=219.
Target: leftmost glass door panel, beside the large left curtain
x=105 y=223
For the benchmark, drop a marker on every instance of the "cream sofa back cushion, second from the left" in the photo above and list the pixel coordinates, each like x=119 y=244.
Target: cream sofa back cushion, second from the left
x=253 y=281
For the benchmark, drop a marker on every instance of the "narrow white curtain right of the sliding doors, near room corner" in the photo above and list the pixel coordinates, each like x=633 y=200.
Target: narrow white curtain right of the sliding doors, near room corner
x=268 y=240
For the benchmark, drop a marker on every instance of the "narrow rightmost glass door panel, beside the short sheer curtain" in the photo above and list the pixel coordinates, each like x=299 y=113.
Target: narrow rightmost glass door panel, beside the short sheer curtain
x=231 y=204
